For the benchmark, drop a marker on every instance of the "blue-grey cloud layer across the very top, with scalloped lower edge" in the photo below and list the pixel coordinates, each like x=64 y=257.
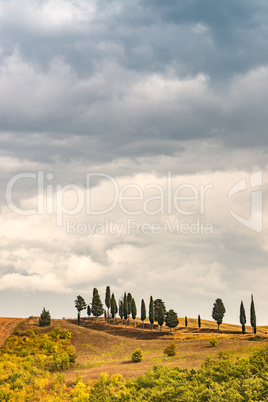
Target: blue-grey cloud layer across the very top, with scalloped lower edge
x=217 y=38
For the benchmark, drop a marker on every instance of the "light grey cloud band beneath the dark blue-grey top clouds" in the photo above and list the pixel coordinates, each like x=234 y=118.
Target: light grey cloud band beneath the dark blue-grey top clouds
x=116 y=112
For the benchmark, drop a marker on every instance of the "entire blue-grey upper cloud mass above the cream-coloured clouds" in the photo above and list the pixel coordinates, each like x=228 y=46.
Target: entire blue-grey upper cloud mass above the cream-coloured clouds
x=95 y=77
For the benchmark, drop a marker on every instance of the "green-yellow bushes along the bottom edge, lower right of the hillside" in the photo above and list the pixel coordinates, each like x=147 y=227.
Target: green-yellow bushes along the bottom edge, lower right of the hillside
x=245 y=380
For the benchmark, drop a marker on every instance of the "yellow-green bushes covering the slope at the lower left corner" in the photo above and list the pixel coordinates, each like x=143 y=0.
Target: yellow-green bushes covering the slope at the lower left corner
x=27 y=360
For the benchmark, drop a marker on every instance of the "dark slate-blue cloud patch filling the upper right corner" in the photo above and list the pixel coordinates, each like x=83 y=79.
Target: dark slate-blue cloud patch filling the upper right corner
x=237 y=33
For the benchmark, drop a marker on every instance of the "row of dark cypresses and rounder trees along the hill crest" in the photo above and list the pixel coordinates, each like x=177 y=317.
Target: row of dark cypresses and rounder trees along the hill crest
x=126 y=307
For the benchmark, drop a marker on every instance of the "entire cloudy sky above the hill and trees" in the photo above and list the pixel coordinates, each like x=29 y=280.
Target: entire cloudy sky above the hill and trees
x=133 y=138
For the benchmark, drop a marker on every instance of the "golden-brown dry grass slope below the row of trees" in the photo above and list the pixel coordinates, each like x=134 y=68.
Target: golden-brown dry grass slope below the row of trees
x=103 y=347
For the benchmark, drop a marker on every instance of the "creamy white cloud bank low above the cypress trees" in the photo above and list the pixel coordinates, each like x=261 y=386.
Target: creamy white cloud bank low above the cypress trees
x=35 y=251
